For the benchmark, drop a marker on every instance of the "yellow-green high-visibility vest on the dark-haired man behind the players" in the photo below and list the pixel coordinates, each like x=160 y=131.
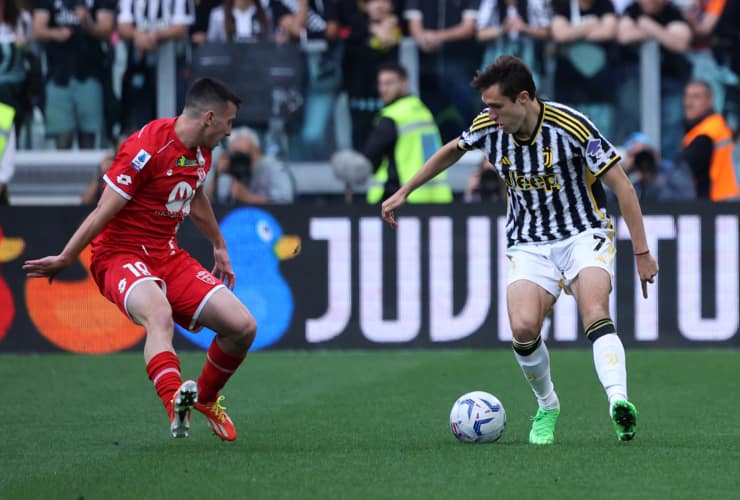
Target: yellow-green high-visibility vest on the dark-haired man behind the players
x=417 y=139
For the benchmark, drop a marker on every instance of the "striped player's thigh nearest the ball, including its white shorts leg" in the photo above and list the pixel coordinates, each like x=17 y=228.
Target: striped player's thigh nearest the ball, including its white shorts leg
x=533 y=286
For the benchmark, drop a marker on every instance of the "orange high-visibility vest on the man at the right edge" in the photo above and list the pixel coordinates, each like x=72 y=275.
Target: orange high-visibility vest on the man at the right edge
x=722 y=179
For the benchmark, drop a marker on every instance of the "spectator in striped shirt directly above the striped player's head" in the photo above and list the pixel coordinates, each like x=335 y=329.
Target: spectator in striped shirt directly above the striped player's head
x=515 y=27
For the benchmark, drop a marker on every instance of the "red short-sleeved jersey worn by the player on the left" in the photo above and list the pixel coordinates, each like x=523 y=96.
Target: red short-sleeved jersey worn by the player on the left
x=159 y=175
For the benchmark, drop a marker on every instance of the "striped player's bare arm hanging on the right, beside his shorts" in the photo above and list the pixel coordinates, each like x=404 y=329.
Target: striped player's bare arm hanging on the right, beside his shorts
x=617 y=181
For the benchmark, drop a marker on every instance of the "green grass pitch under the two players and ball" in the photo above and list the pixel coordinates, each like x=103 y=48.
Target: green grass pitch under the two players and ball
x=335 y=425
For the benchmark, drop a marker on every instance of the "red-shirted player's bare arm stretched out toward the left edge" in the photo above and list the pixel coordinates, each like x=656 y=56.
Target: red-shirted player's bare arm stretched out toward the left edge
x=109 y=205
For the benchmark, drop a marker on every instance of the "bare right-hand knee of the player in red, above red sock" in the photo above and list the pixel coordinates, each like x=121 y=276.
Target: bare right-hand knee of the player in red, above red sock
x=225 y=314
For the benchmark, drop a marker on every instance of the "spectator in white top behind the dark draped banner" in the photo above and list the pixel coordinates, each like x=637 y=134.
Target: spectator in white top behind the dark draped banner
x=239 y=21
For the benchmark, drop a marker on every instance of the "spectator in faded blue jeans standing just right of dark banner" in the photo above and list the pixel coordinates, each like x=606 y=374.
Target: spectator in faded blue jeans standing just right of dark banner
x=314 y=23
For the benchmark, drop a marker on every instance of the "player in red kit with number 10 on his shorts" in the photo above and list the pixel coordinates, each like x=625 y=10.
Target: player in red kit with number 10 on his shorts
x=155 y=182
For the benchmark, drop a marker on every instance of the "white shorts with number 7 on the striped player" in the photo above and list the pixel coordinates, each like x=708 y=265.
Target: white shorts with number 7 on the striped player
x=554 y=266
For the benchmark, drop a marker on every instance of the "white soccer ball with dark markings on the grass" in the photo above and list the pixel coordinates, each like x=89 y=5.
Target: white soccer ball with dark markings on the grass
x=477 y=417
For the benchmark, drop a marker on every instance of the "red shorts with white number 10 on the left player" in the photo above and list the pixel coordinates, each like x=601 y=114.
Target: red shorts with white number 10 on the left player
x=187 y=285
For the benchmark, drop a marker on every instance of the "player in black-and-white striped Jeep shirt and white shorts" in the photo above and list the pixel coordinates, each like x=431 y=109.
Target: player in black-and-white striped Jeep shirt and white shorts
x=553 y=161
